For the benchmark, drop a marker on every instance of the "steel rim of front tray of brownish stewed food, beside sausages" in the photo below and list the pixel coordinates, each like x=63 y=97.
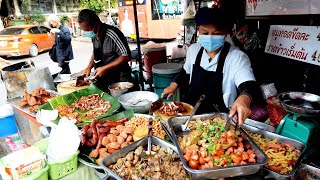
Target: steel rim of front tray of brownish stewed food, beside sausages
x=112 y=159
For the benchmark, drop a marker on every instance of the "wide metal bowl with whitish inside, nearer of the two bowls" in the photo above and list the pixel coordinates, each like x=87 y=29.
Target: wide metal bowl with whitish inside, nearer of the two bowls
x=138 y=101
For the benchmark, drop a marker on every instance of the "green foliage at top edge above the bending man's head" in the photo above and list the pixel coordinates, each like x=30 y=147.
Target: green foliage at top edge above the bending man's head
x=97 y=6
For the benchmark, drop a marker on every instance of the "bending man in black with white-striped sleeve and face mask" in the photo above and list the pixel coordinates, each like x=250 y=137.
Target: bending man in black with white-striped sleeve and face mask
x=111 y=52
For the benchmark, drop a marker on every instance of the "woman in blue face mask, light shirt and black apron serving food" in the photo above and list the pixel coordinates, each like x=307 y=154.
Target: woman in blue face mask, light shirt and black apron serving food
x=217 y=69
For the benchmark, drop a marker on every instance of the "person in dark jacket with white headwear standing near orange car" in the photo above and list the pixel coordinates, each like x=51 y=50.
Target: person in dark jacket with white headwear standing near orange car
x=62 y=47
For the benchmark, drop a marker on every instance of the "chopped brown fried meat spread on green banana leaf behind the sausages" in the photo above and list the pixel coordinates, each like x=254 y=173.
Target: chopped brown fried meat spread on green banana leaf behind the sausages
x=93 y=105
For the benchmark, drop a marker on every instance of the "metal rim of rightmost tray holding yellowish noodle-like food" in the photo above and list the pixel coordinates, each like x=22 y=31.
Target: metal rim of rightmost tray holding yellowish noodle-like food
x=281 y=139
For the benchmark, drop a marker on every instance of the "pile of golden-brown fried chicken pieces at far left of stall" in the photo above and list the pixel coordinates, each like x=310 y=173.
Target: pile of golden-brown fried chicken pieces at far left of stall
x=35 y=99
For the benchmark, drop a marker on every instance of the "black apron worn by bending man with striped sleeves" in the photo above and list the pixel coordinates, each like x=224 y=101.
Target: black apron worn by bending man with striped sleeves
x=112 y=75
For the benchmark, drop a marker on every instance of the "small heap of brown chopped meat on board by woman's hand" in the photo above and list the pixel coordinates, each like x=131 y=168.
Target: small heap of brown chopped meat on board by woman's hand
x=172 y=108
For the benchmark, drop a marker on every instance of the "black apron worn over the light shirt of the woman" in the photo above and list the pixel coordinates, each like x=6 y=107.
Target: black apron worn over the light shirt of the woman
x=208 y=83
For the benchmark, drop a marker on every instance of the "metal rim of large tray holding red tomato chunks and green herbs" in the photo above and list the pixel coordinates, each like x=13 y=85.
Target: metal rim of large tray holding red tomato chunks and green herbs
x=223 y=172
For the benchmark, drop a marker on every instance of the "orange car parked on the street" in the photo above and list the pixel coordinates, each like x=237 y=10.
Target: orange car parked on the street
x=25 y=40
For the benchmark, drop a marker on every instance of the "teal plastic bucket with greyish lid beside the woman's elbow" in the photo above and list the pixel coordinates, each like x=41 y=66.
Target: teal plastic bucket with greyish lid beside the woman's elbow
x=163 y=75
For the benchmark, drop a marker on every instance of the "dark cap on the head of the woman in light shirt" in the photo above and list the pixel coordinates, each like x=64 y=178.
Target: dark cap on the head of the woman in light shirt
x=215 y=16
